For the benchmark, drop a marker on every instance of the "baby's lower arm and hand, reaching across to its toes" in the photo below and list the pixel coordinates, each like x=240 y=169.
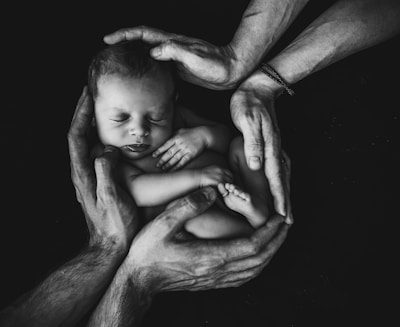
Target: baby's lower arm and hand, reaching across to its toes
x=152 y=189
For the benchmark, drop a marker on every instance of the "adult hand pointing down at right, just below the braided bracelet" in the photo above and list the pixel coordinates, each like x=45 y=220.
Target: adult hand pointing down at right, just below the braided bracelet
x=253 y=113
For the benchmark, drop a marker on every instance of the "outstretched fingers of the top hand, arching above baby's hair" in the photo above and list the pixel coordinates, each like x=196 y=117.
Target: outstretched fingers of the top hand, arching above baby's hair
x=144 y=33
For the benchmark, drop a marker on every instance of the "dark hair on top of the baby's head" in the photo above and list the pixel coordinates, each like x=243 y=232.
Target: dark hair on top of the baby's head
x=128 y=59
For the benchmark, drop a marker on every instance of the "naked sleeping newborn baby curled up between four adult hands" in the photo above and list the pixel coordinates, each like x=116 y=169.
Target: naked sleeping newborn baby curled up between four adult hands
x=168 y=150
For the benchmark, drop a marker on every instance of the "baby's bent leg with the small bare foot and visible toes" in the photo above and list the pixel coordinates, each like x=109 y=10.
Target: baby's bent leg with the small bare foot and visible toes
x=255 y=202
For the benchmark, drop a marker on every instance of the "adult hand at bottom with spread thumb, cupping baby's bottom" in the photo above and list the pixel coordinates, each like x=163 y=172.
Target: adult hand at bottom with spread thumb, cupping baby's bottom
x=158 y=261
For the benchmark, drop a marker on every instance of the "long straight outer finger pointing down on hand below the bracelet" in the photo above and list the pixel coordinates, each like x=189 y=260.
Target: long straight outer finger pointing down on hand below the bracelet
x=272 y=164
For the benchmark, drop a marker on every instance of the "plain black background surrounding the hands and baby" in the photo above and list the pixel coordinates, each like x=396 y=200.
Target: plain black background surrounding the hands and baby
x=340 y=130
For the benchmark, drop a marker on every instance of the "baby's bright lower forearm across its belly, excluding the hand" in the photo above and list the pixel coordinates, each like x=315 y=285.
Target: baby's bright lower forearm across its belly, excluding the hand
x=157 y=189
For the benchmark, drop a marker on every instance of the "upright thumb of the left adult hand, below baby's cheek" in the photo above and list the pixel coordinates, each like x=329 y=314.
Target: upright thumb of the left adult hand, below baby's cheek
x=106 y=187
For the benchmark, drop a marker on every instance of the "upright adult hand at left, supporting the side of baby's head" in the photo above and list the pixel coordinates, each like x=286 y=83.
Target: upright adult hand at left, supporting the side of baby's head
x=110 y=213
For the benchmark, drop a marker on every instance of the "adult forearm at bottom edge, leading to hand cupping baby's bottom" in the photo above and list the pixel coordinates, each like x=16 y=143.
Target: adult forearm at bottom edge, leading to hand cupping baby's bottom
x=125 y=302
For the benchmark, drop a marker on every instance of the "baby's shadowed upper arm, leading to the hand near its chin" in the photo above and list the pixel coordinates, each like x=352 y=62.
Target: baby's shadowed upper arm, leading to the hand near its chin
x=217 y=136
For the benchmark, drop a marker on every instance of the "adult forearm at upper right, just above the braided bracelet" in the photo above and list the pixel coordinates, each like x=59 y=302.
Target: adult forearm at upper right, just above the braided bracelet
x=347 y=27
